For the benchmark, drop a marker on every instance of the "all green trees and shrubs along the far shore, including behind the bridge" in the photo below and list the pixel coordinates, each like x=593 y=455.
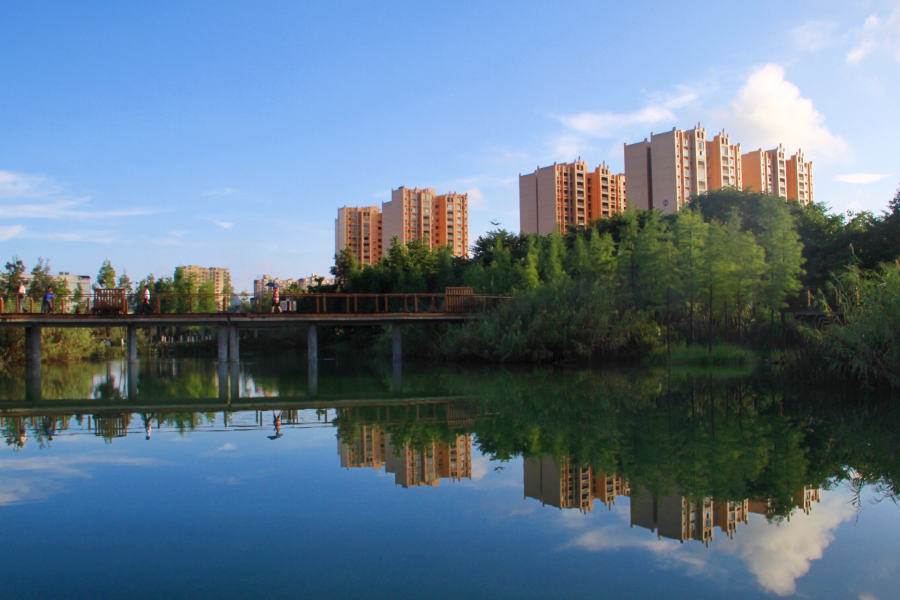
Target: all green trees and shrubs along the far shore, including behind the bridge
x=704 y=286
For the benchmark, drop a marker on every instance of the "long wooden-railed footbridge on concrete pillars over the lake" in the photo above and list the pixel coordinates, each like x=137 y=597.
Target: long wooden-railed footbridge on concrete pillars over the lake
x=312 y=310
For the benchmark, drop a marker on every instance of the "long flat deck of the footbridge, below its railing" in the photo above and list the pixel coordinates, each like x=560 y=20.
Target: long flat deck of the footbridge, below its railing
x=243 y=320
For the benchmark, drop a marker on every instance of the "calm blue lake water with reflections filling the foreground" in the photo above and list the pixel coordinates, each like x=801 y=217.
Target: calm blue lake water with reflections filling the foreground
x=176 y=482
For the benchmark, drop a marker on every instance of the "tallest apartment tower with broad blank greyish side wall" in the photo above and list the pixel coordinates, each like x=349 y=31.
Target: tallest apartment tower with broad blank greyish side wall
x=664 y=172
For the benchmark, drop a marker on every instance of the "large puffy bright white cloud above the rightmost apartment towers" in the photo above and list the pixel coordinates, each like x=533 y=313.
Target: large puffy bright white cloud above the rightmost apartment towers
x=769 y=110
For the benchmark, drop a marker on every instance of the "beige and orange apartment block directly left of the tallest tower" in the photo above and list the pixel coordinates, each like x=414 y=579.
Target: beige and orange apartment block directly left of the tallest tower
x=554 y=197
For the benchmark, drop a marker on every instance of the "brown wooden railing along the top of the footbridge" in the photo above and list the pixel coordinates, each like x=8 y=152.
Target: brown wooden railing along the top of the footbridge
x=170 y=303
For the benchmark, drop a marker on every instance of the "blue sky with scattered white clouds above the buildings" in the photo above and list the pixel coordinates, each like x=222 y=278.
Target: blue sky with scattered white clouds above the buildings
x=228 y=134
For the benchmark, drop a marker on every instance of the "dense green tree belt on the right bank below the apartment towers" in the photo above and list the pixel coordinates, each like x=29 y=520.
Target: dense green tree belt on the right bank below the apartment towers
x=720 y=271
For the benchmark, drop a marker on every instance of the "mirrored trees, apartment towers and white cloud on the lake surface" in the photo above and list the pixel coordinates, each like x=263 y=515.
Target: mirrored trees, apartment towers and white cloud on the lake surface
x=681 y=454
